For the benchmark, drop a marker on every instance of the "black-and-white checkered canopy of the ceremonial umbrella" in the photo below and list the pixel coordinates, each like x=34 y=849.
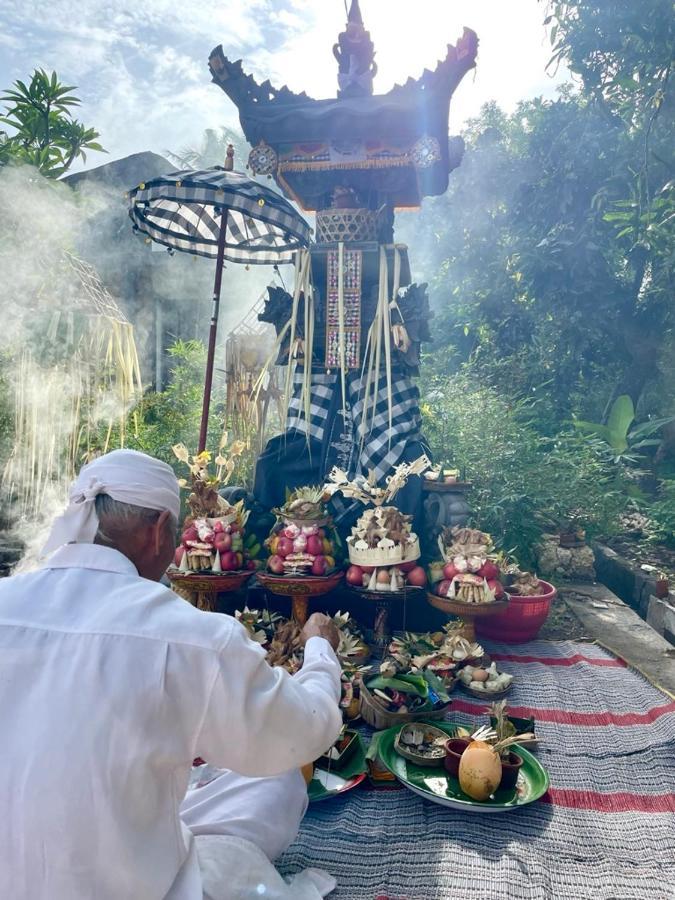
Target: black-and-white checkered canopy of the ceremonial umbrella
x=183 y=211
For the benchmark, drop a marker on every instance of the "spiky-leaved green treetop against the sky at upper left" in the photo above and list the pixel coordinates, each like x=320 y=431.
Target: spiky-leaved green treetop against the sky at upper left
x=45 y=133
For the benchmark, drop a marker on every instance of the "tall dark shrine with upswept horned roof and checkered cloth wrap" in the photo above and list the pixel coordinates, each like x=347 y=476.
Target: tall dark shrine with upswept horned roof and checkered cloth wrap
x=350 y=332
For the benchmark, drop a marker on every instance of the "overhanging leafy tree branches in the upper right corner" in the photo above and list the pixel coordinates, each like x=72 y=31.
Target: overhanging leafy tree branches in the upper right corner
x=623 y=52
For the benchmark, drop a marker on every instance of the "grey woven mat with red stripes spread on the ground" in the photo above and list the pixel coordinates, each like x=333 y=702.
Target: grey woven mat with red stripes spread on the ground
x=605 y=830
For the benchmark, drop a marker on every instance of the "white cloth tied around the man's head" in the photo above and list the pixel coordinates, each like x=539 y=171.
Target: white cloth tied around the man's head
x=125 y=475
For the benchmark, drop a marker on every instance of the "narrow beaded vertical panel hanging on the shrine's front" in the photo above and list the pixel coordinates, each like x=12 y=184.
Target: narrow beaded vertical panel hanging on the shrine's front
x=351 y=292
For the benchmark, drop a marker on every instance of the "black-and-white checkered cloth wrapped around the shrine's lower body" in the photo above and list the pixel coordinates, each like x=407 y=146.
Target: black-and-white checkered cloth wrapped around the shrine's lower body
x=378 y=446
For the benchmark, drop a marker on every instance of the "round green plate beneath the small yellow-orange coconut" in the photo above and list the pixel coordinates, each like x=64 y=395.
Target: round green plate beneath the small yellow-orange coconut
x=439 y=786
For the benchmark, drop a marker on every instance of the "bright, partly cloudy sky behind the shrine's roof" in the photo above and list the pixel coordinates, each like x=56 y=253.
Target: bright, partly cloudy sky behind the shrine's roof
x=140 y=66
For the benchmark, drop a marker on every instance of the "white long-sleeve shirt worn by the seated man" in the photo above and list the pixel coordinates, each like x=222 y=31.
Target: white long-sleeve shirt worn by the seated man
x=110 y=685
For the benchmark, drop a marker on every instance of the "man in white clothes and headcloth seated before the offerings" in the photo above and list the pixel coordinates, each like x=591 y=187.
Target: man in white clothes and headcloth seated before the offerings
x=111 y=685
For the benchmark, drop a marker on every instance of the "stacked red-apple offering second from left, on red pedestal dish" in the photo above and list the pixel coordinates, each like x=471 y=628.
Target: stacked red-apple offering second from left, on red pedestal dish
x=303 y=541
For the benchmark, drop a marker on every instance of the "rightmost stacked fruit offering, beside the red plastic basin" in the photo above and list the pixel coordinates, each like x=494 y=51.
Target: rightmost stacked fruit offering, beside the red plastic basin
x=468 y=573
